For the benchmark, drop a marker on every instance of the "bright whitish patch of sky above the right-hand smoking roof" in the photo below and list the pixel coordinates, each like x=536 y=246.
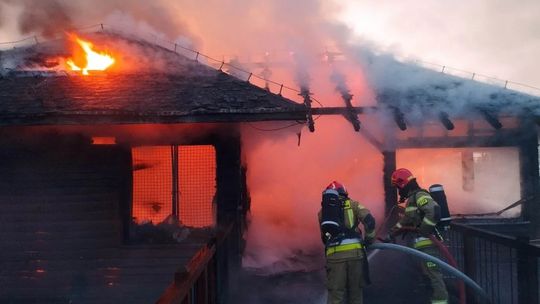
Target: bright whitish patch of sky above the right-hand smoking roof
x=498 y=38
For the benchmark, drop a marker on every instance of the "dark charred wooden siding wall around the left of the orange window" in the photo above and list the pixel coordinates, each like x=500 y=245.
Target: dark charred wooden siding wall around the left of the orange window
x=62 y=231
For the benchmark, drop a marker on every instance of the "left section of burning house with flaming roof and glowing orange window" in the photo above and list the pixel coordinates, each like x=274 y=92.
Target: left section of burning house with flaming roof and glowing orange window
x=116 y=183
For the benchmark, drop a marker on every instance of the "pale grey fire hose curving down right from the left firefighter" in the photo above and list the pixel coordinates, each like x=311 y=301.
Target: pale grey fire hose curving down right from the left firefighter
x=427 y=257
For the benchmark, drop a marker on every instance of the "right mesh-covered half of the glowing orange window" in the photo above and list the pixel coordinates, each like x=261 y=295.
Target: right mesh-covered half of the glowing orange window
x=197 y=183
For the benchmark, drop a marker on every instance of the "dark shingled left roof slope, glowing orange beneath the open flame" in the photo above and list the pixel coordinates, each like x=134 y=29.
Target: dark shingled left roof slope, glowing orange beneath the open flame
x=184 y=91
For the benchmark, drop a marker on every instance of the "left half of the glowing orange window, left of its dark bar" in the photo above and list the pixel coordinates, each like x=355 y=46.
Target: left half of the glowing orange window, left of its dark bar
x=152 y=183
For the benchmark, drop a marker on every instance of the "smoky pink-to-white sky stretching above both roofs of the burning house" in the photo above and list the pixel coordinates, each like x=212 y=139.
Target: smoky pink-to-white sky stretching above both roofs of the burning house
x=494 y=37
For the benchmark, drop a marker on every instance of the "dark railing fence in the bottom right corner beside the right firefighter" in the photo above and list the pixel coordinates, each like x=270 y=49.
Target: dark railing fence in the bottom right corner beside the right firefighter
x=505 y=267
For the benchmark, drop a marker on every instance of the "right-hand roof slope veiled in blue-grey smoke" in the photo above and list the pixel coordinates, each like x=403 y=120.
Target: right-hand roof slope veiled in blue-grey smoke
x=418 y=92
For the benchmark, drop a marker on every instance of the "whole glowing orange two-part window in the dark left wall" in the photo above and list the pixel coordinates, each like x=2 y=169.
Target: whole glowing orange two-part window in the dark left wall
x=174 y=180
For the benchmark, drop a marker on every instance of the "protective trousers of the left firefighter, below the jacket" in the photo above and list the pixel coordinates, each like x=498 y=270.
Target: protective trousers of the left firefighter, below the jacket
x=345 y=280
